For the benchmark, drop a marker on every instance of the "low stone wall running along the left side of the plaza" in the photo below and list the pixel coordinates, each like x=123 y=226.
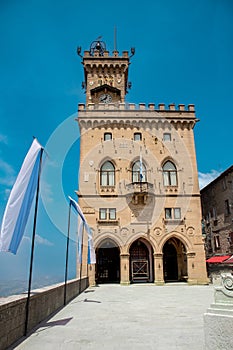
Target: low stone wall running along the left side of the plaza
x=43 y=302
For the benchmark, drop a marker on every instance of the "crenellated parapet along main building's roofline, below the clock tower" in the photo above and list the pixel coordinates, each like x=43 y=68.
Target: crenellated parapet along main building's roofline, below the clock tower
x=123 y=115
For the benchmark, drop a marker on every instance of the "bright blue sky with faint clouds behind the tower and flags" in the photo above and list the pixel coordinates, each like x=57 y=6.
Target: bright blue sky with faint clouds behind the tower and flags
x=184 y=54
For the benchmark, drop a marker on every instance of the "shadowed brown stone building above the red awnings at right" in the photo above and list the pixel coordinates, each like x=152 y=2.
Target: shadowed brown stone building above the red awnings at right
x=217 y=202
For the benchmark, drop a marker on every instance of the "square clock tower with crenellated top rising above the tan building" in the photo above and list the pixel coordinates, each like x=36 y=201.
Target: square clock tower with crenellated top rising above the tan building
x=106 y=76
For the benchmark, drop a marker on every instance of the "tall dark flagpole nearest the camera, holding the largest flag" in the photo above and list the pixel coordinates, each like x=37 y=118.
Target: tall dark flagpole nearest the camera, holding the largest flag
x=33 y=244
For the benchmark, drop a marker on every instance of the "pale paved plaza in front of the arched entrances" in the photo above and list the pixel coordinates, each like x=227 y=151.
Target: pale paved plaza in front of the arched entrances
x=134 y=317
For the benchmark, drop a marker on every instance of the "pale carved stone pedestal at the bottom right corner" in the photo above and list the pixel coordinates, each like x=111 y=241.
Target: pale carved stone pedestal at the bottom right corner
x=218 y=320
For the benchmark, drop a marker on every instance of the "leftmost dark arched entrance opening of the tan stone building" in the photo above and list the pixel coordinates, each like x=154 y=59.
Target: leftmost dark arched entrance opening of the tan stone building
x=108 y=262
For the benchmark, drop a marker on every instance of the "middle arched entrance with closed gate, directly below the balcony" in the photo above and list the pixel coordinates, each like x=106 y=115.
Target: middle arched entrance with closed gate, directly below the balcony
x=141 y=263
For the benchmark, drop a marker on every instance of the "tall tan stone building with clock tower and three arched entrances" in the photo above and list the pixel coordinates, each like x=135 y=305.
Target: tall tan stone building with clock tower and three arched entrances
x=138 y=183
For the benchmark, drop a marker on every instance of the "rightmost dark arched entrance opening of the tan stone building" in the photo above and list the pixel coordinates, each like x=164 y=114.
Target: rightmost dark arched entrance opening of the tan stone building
x=174 y=261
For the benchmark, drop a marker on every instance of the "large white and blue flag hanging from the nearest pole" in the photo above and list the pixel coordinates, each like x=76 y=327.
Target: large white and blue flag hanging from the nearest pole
x=20 y=200
